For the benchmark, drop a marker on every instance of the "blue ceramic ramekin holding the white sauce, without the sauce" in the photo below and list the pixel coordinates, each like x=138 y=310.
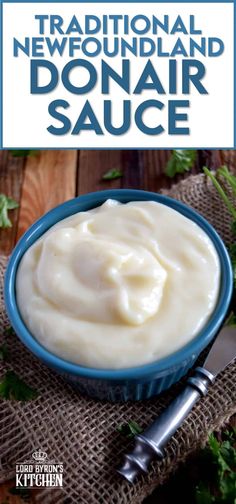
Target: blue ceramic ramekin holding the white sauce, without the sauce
x=133 y=383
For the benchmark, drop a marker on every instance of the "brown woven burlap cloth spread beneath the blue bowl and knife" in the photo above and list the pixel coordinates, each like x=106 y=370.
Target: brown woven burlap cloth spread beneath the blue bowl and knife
x=81 y=433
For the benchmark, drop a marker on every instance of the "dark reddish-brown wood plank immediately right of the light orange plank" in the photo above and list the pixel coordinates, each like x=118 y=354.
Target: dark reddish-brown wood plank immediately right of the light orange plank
x=93 y=165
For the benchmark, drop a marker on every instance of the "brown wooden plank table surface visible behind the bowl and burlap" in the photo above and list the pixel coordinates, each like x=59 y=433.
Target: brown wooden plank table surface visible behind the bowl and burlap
x=42 y=181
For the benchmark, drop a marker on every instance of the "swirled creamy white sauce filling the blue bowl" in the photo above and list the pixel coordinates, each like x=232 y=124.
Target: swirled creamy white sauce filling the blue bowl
x=120 y=285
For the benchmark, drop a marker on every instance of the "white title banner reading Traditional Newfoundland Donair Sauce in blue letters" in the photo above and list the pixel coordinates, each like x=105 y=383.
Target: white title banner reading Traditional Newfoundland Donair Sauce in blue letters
x=118 y=75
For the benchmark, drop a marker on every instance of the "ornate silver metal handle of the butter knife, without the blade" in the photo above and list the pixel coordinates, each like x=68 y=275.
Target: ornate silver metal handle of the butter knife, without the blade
x=151 y=442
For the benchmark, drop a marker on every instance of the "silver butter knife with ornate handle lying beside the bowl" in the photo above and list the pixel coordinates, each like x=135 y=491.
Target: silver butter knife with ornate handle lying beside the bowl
x=151 y=442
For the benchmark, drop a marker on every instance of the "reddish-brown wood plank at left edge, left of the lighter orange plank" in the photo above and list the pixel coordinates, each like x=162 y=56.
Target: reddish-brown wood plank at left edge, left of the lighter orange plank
x=11 y=177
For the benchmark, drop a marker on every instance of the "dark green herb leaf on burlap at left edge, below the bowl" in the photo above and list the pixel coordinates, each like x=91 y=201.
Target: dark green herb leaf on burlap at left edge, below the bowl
x=13 y=387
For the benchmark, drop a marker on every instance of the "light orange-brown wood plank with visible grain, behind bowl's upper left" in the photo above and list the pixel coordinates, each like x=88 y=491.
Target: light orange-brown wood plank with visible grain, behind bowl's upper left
x=50 y=179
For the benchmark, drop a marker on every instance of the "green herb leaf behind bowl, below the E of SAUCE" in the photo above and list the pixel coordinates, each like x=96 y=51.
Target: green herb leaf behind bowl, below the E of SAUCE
x=180 y=162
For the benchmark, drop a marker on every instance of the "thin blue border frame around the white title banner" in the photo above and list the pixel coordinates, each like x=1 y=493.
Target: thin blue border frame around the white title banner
x=78 y=147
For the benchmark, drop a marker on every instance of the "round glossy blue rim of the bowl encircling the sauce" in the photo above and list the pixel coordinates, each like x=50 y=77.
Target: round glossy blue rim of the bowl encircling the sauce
x=160 y=367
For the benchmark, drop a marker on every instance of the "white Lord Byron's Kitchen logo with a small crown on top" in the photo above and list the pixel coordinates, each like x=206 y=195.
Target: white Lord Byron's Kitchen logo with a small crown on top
x=39 y=472
